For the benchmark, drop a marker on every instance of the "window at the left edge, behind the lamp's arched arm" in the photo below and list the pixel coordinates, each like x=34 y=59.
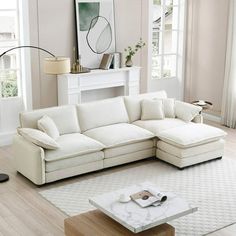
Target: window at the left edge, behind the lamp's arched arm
x=9 y=37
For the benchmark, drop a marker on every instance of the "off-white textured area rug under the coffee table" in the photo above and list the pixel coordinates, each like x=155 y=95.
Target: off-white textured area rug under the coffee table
x=211 y=186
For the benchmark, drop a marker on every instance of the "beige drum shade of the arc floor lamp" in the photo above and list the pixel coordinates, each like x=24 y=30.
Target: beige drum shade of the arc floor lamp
x=56 y=65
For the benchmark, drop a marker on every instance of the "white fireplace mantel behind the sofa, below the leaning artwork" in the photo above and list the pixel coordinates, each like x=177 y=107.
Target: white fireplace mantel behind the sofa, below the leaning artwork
x=71 y=86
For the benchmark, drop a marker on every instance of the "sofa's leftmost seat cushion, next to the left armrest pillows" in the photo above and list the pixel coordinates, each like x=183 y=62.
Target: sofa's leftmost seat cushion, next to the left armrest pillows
x=72 y=145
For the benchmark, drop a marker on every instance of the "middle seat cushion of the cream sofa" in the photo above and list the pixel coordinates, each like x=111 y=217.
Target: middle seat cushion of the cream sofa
x=119 y=134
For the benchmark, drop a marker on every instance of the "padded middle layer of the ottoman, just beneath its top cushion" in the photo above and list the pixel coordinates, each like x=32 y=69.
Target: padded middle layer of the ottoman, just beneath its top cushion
x=192 y=151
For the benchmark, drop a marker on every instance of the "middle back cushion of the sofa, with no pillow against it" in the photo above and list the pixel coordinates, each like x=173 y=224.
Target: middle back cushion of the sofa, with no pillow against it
x=101 y=113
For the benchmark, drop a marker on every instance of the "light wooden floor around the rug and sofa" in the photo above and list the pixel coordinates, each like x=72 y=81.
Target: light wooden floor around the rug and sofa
x=24 y=212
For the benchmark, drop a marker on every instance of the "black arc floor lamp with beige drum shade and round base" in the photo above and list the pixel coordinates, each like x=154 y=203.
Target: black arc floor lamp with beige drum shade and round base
x=52 y=65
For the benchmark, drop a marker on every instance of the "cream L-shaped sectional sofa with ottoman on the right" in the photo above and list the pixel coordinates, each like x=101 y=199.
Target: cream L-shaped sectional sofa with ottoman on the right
x=110 y=132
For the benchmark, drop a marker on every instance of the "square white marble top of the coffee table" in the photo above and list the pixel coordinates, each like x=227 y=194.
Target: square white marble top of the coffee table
x=136 y=218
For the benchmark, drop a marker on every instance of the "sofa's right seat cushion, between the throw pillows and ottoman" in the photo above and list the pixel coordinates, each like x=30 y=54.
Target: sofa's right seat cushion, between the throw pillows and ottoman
x=156 y=126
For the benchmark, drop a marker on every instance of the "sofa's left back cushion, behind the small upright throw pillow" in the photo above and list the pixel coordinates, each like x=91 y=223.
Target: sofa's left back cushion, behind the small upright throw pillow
x=64 y=117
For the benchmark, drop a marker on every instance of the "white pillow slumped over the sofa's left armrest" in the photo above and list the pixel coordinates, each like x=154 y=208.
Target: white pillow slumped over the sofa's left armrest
x=38 y=137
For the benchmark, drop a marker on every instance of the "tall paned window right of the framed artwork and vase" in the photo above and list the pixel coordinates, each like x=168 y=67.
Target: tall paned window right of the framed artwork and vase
x=165 y=38
